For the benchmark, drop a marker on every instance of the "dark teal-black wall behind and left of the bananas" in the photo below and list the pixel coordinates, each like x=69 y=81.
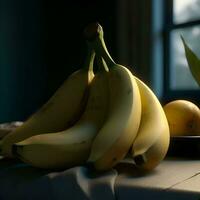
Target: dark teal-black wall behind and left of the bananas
x=41 y=44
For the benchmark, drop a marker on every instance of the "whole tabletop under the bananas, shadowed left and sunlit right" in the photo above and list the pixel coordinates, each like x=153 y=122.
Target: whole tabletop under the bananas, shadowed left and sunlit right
x=173 y=179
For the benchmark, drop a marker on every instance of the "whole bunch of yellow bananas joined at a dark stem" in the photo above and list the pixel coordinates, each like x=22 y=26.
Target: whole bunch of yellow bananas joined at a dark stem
x=94 y=118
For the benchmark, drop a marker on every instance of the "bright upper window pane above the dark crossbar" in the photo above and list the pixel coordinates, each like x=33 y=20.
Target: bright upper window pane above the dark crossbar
x=186 y=10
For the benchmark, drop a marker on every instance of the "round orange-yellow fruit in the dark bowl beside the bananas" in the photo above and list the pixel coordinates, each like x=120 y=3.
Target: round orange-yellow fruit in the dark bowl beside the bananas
x=183 y=117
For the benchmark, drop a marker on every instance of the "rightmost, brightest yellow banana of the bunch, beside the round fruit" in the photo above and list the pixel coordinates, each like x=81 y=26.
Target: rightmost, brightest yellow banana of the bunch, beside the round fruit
x=152 y=141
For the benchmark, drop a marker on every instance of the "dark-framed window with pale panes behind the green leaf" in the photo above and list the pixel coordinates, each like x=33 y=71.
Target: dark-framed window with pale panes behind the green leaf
x=182 y=17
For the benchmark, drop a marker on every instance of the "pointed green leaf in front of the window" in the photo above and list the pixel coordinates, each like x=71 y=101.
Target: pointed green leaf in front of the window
x=193 y=62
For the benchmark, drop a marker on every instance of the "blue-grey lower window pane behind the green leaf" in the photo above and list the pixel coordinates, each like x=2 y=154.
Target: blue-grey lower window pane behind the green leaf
x=180 y=75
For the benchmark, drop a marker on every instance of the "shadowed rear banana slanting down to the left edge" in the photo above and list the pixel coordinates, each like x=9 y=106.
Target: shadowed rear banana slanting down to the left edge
x=61 y=111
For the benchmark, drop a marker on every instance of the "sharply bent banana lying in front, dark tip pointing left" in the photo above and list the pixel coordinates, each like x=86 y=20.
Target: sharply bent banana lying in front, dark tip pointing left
x=72 y=146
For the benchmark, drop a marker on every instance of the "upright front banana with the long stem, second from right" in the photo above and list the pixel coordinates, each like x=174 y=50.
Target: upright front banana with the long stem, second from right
x=121 y=125
